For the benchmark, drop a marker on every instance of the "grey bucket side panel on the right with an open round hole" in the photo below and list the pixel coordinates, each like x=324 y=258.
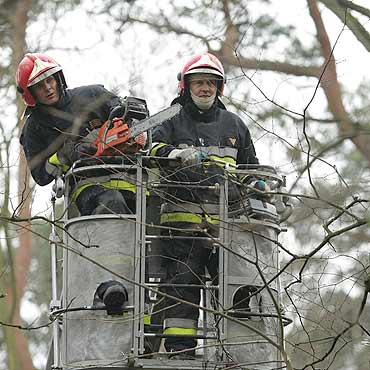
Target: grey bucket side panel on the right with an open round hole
x=252 y=262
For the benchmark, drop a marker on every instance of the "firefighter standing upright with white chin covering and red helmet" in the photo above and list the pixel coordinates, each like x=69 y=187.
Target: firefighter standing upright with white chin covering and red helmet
x=203 y=138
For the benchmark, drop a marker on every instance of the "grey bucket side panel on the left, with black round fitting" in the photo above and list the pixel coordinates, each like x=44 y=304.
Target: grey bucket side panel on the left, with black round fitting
x=93 y=335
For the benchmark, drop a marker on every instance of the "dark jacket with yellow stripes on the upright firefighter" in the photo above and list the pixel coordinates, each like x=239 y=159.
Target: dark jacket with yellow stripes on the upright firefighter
x=222 y=137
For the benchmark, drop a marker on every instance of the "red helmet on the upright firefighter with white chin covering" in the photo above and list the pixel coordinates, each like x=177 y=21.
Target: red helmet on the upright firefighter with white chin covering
x=202 y=63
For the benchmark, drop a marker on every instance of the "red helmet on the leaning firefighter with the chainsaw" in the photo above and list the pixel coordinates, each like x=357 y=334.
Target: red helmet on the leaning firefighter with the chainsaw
x=34 y=68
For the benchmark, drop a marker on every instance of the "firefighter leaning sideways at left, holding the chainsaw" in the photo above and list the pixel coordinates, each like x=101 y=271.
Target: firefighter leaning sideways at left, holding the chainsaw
x=61 y=125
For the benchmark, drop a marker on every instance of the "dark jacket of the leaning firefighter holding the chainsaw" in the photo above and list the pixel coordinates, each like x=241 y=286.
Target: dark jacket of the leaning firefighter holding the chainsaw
x=47 y=127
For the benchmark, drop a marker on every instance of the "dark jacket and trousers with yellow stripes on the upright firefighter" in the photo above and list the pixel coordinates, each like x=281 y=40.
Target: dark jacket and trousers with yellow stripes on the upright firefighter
x=191 y=203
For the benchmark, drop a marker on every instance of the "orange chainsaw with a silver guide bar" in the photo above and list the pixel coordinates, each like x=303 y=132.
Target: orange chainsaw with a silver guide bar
x=125 y=129
